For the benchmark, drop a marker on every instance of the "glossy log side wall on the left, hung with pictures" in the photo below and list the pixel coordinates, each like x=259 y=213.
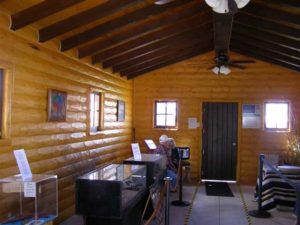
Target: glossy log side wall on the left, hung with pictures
x=63 y=148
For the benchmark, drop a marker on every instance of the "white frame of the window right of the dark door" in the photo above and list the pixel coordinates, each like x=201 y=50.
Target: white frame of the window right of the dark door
x=276 y=129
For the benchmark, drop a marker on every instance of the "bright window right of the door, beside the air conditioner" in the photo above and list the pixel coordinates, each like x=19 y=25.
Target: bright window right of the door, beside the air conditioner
x=277 y=116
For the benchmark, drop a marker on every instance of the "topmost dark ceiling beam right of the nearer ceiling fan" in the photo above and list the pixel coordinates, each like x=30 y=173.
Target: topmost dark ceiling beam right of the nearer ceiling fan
x=271 y=13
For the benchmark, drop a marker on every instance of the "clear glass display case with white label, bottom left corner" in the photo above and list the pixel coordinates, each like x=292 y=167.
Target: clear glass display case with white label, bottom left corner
x=29 y=202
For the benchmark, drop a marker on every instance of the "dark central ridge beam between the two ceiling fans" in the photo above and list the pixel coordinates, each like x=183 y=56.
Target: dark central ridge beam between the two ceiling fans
x=222 y=31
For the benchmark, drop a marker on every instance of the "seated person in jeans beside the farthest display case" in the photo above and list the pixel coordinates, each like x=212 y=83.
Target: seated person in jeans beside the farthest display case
x=164 y=149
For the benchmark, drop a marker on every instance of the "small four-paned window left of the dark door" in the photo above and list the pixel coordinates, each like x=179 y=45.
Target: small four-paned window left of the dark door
x=165 y=114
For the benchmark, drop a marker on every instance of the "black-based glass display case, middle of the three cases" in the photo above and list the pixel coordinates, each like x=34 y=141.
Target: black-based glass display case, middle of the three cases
x=110 y=191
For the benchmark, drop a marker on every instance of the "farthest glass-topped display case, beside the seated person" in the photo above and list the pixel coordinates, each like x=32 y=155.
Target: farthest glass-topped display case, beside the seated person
x=155 y=163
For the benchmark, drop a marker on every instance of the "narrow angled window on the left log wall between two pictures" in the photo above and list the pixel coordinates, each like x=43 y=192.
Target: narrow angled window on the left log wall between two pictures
x=96 y=118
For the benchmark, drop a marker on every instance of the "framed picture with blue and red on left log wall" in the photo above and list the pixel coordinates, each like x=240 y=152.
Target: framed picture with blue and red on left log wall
x=57 y=105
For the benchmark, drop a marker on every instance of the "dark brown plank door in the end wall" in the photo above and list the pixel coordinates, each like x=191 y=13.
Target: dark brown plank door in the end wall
x=219 y=140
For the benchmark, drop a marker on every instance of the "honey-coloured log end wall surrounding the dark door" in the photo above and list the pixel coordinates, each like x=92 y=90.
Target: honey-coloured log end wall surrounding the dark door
x=191 y=83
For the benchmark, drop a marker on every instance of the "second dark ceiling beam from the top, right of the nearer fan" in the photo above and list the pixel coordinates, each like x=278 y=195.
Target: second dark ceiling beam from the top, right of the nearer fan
x=251 y=20
